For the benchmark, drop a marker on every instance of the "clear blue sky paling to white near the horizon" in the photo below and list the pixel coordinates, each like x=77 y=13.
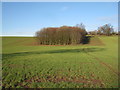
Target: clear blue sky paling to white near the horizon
x=25 y=18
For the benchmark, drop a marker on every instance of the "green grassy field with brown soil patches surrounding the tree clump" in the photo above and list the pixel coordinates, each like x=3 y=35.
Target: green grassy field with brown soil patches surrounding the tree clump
x=26 y=64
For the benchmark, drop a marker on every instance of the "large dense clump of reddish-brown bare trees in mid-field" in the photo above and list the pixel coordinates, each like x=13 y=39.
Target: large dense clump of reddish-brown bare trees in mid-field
x=64 y=35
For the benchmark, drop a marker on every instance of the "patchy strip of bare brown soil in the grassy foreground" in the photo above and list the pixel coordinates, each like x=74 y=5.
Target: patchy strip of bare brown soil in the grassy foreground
x=57 y=79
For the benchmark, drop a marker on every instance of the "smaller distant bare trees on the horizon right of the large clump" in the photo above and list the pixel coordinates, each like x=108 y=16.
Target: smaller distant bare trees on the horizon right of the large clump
x=106 y=29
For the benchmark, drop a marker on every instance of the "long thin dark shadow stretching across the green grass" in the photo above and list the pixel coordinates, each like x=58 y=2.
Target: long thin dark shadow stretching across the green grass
x=82 y=50
